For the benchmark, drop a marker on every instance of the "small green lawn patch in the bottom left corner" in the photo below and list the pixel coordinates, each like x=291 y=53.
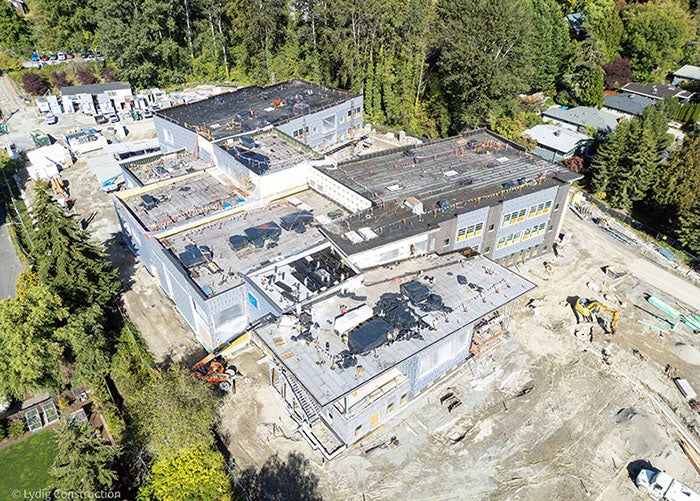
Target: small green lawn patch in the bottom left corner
x=25 y=464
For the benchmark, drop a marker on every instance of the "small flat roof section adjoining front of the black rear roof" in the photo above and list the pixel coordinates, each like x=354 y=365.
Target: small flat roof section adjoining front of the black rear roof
x=273 y=150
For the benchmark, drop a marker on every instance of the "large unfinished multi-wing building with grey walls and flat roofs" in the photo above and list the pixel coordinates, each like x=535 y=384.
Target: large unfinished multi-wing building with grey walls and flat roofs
x=363 y=281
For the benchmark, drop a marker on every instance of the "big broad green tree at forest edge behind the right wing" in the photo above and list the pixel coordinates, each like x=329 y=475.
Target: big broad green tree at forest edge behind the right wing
x=482 y=57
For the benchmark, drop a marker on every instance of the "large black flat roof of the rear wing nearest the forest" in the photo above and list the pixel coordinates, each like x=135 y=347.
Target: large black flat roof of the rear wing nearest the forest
x=253 y=108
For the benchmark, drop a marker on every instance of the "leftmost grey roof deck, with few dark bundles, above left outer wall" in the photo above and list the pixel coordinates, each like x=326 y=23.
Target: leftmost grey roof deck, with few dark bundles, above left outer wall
x=184 y=199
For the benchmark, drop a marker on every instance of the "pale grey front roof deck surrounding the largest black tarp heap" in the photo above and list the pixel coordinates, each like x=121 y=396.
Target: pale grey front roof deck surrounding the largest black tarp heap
x=327 y=385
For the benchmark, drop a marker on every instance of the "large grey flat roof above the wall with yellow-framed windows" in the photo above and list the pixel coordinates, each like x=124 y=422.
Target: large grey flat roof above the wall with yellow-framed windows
x=466 y=177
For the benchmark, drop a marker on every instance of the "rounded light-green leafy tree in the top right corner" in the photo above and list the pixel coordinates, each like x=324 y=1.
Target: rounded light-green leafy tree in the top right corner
x=657 y=35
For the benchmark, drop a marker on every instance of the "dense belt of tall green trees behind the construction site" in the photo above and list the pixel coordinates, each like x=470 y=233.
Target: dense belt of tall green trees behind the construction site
x=431 y=68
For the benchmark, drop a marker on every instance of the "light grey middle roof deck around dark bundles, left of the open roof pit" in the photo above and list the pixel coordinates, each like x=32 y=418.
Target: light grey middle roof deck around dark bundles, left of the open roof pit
x=234 y=264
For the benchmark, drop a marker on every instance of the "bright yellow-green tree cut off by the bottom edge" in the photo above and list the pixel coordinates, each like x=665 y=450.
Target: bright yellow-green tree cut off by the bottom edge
x=196 y=472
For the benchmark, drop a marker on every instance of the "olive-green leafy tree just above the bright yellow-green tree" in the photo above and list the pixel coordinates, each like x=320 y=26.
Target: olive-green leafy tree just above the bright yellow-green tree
x=173 y=412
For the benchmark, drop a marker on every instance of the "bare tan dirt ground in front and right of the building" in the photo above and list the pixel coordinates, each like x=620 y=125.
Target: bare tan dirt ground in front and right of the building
x=581 y=432
